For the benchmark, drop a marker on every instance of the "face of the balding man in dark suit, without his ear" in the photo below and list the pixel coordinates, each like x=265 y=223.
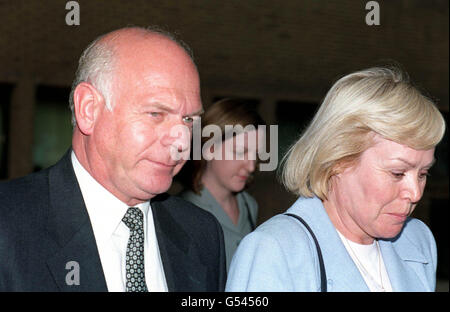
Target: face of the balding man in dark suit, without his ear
x=152 y=94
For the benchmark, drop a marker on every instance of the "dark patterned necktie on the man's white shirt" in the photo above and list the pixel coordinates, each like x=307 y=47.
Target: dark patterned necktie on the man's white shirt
x=135 y=251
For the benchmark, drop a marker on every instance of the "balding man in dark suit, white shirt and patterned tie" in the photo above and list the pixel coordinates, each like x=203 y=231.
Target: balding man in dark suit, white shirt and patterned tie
x=99 y=220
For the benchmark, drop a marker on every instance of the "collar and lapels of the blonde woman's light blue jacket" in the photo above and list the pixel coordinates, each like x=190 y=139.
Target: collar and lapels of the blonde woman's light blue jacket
x=341 y=271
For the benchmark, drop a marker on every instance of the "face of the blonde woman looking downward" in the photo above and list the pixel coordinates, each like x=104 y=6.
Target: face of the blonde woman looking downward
x=373 y=198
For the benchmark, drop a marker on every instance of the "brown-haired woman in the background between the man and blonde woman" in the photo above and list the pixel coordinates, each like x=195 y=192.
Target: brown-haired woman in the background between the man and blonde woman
x=217 y=185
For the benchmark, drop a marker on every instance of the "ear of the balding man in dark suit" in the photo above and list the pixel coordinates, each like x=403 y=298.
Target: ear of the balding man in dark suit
x=87 y=103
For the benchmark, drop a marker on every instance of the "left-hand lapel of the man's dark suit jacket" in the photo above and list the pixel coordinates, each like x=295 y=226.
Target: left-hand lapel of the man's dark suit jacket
x=70 y=228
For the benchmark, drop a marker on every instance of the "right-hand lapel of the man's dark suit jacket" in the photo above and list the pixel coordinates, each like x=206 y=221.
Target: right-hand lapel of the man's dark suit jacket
x=182 y=269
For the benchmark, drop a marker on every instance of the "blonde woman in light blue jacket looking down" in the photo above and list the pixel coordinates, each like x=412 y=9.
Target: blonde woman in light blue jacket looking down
x=359 y=170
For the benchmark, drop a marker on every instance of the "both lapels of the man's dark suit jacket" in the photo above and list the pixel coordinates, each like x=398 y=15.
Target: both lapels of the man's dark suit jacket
x=69 y=226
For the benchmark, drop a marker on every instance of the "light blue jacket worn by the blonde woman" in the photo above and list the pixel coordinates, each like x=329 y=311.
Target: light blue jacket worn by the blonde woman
x=280 y=255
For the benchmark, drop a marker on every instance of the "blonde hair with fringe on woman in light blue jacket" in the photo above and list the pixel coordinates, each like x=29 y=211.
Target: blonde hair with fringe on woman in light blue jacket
x=375 y=100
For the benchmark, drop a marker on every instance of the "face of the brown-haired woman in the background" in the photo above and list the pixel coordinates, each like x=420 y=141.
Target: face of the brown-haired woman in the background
x=237 y=162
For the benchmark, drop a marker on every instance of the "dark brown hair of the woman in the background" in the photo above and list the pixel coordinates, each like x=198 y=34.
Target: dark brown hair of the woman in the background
x=227 y=111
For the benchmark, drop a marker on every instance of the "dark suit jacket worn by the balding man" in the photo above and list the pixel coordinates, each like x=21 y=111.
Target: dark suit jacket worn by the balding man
x=44 y=225
